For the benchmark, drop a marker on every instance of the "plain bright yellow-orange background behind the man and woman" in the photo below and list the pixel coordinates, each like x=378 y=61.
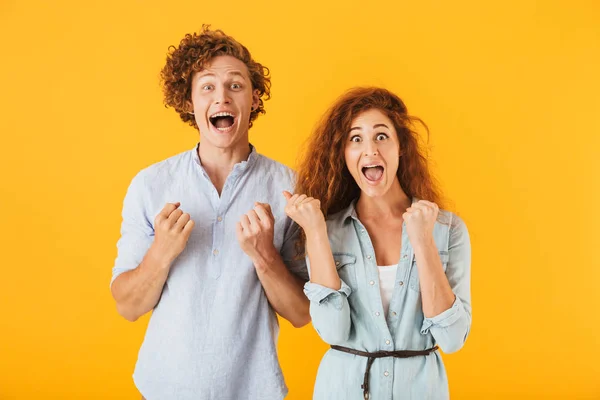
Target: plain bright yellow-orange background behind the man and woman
x=510 y=92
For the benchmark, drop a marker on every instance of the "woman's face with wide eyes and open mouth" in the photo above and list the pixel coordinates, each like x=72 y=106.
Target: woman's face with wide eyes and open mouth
x=372 y=152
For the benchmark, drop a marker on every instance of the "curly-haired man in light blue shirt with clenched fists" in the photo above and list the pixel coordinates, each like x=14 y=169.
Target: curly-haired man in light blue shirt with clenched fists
x=205 y=242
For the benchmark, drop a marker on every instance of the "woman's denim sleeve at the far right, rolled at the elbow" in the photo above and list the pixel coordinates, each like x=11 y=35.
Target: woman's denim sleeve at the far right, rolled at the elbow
x=451 y=327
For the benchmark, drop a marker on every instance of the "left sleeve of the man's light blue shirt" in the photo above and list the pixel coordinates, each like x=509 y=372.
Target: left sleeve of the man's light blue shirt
x=137 y=232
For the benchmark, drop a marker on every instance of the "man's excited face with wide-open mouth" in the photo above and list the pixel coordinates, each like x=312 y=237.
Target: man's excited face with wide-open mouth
x=222 y=99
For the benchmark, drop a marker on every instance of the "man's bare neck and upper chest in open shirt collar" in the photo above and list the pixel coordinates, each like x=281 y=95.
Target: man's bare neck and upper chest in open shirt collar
x=218 y=162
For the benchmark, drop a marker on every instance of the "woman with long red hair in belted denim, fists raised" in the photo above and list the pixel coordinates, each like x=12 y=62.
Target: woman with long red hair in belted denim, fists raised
x=390 y=271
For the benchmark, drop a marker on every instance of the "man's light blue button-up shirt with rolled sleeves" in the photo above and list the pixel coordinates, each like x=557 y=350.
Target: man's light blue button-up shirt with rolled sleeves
x=213 y=333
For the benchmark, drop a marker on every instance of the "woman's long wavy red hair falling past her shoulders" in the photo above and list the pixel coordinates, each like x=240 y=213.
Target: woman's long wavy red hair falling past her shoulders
x=323 y=173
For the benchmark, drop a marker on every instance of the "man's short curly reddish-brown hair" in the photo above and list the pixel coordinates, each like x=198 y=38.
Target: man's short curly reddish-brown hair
x=194 y=52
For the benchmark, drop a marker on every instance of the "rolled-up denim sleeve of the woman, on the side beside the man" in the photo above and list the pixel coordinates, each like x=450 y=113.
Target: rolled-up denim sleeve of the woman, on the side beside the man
x=329 y=310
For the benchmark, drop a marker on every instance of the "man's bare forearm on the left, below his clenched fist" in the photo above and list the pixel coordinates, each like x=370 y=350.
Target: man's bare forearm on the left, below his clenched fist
x=138 y=291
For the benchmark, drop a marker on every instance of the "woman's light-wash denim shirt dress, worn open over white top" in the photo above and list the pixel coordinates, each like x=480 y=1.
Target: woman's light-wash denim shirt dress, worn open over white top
x=353 y=316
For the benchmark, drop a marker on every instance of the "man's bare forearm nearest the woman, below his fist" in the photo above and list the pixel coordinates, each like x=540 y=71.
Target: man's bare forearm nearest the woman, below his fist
x=284 y=290
